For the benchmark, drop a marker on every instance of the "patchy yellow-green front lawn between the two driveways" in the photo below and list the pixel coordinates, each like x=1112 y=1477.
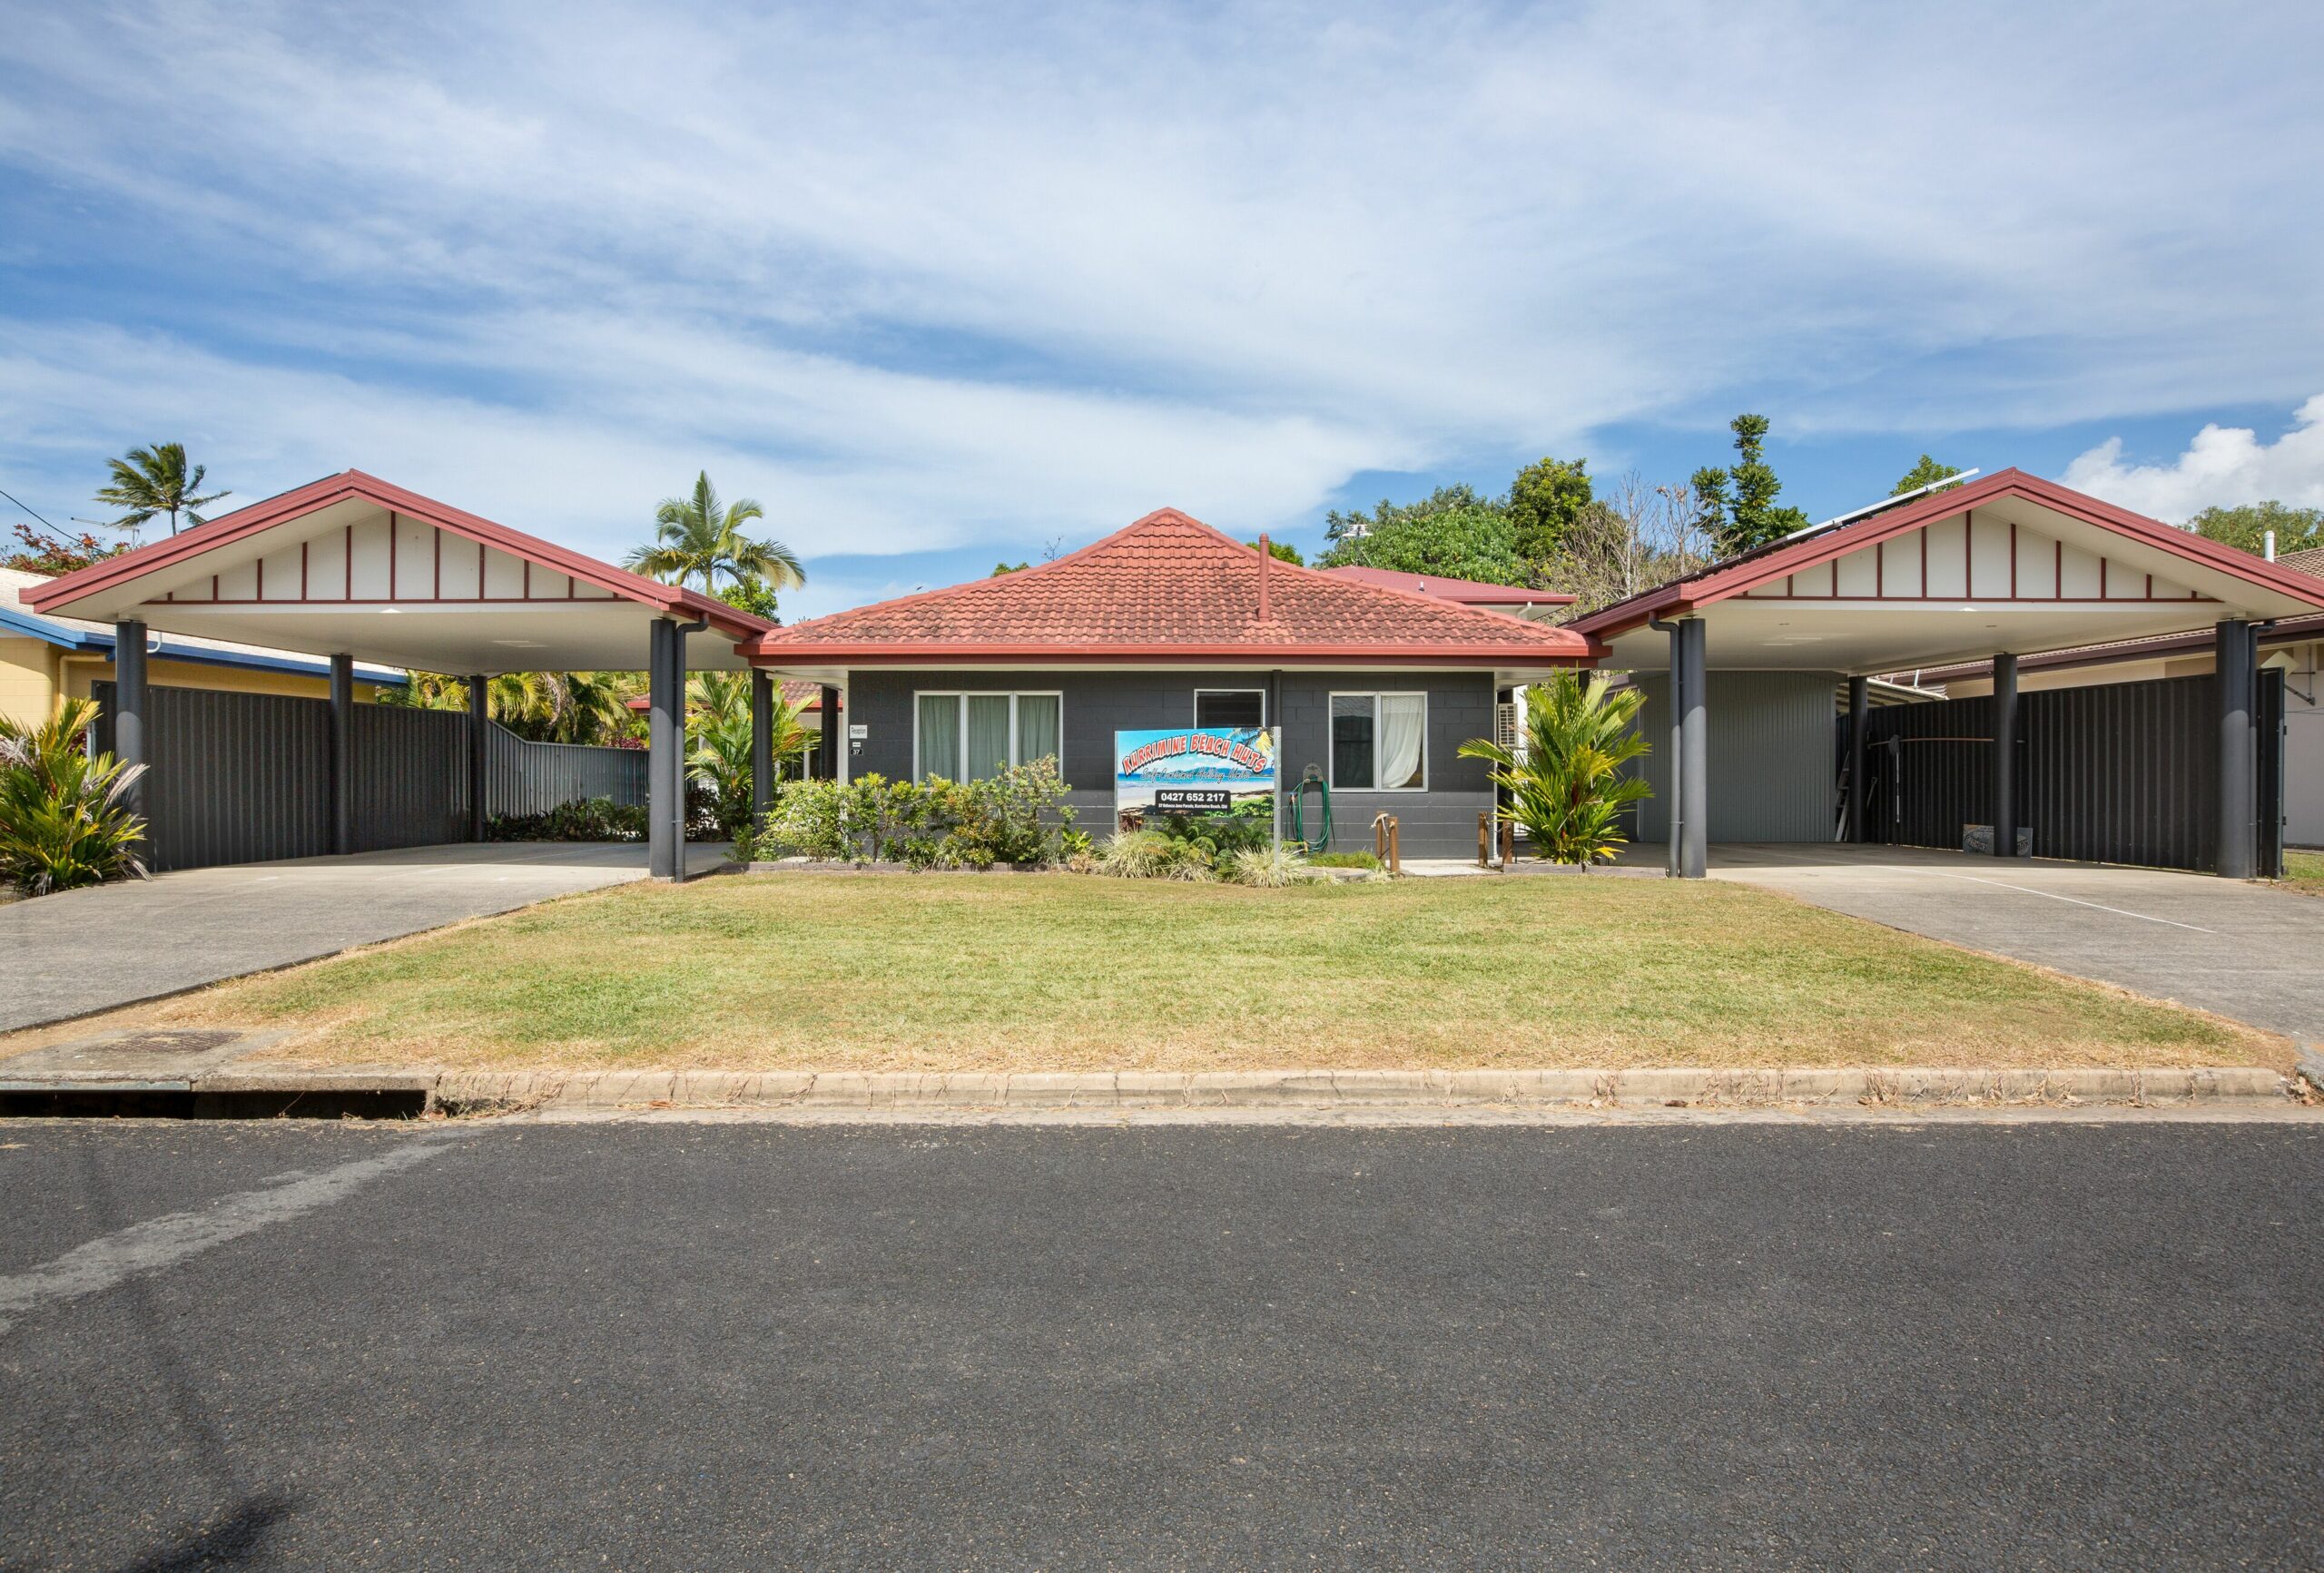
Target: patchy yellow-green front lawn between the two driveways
x=1075 y=972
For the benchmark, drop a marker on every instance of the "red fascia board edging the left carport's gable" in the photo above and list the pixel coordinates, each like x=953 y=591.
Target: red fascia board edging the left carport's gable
x=317 y=496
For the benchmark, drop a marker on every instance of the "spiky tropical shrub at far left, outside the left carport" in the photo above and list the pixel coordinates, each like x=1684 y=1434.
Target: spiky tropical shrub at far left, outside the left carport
x=62 y=819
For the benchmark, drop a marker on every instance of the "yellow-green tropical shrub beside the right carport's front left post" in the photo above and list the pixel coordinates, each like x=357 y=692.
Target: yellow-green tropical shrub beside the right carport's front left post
x=1570 y=789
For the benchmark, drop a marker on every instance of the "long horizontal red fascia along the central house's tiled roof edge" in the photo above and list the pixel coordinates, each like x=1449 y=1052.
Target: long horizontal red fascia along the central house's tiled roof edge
x=780 y=654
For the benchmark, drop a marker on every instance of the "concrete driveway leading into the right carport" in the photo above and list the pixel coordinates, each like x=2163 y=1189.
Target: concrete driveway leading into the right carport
x=2246 y=951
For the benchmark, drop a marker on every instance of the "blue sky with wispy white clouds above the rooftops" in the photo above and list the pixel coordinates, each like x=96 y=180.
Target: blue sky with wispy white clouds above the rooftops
x=947 y=285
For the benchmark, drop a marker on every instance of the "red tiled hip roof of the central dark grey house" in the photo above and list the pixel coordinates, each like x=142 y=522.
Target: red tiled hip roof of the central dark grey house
x=1168 y=589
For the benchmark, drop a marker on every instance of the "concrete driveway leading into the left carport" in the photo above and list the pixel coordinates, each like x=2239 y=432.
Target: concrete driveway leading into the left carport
x=117 y=944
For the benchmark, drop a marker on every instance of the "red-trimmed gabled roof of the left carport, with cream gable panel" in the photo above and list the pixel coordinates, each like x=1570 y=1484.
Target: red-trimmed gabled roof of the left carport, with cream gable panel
x=510 y=603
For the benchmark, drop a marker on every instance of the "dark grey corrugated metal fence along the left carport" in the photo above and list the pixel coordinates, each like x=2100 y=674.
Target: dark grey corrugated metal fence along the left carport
x=248 y=777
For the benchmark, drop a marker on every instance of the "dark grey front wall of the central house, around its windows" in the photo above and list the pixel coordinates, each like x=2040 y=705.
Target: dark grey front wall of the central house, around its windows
x=1435 y=824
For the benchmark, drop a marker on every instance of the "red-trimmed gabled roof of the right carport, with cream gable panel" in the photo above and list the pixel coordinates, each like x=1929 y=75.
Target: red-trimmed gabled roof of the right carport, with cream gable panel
x=2060 y=570
